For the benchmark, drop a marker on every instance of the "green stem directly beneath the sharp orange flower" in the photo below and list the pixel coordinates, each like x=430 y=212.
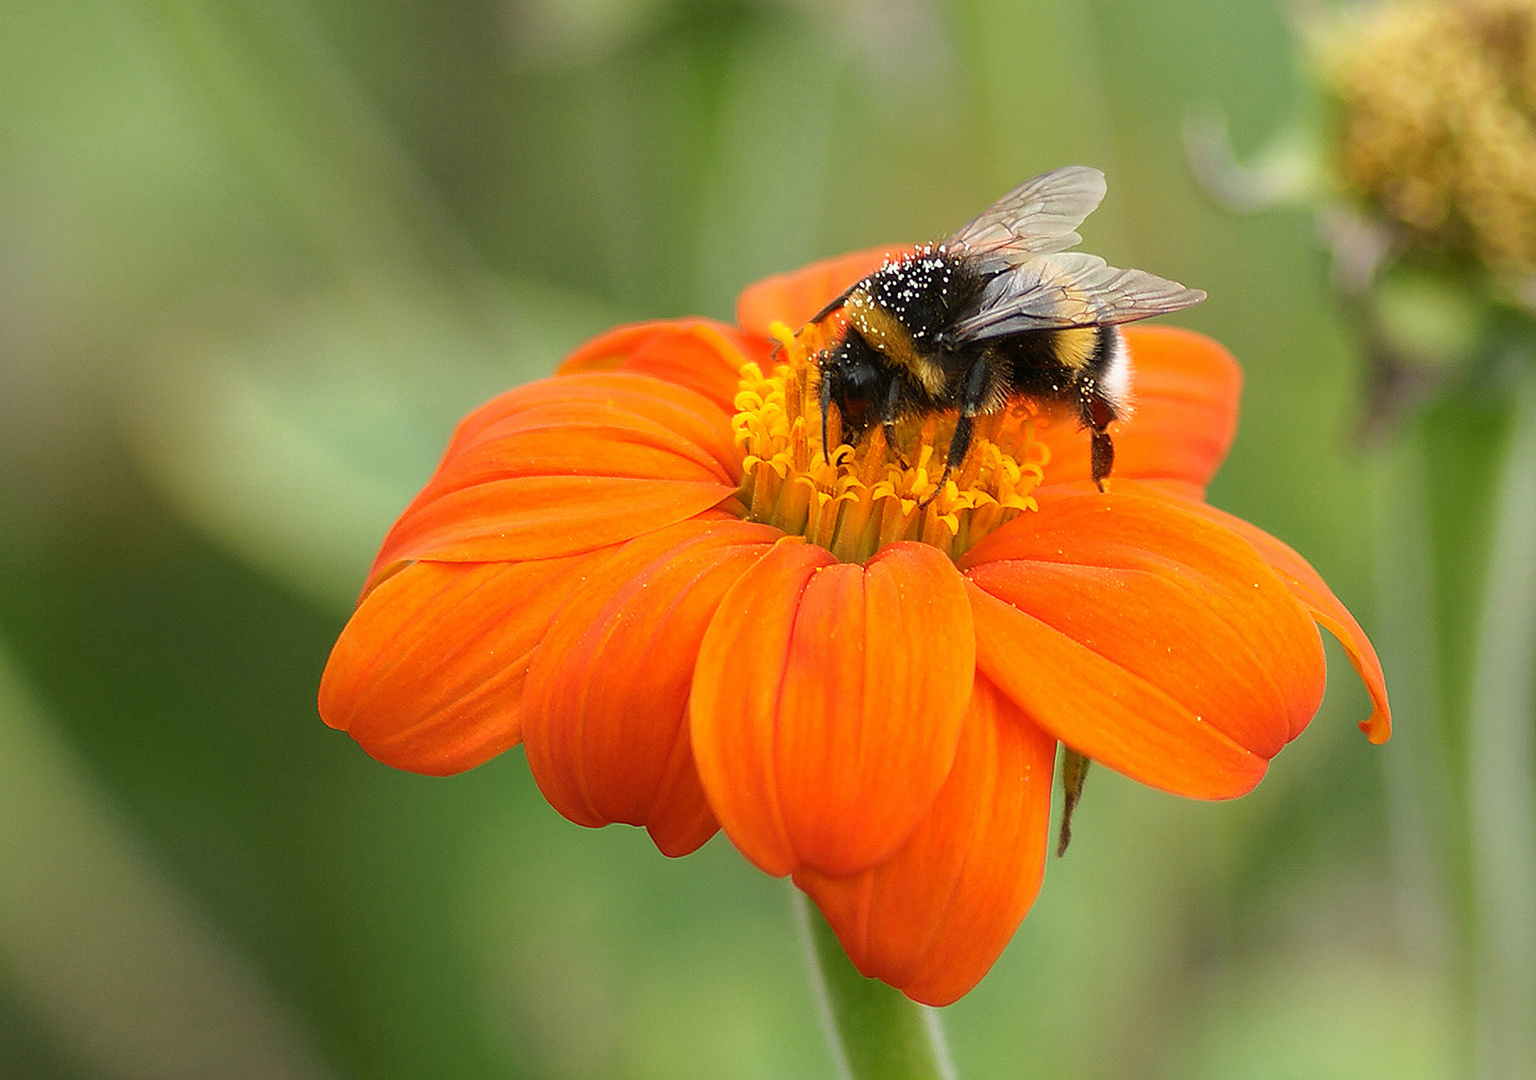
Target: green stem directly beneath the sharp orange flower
x=876 y=1032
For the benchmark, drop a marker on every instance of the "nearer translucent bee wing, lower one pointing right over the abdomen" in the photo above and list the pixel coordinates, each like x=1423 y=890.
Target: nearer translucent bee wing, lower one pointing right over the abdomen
x=1065 y=291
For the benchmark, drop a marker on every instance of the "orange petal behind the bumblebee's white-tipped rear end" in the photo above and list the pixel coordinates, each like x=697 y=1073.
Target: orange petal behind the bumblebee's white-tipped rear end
x=1185 y=389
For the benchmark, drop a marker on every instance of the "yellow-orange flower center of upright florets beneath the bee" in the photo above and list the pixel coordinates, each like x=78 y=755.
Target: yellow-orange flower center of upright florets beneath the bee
x=856 y=500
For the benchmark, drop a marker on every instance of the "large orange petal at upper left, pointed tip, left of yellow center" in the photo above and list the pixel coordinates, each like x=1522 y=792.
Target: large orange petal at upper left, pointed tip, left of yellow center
x=566 y=466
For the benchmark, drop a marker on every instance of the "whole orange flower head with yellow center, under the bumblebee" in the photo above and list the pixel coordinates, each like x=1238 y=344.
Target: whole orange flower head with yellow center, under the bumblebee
x=647 y=571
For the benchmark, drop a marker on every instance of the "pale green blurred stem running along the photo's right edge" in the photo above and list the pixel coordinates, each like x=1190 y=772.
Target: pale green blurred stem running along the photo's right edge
x=1501 y=767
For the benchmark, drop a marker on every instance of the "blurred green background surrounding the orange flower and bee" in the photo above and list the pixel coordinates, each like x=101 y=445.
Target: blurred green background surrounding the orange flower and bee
x=259 y=256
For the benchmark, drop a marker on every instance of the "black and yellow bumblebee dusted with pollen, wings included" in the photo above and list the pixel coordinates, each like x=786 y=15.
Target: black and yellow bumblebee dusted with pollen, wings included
x=999 y=311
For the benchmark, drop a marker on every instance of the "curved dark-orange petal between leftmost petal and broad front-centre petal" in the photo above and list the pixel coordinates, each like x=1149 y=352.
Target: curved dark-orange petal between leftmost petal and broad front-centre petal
x=606 y=707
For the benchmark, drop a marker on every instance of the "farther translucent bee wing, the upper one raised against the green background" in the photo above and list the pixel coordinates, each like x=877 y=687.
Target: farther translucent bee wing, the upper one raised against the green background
x=1038 y=217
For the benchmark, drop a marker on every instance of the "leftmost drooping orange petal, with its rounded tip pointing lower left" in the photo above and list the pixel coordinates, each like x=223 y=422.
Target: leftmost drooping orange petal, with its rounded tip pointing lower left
x=429 y=674
